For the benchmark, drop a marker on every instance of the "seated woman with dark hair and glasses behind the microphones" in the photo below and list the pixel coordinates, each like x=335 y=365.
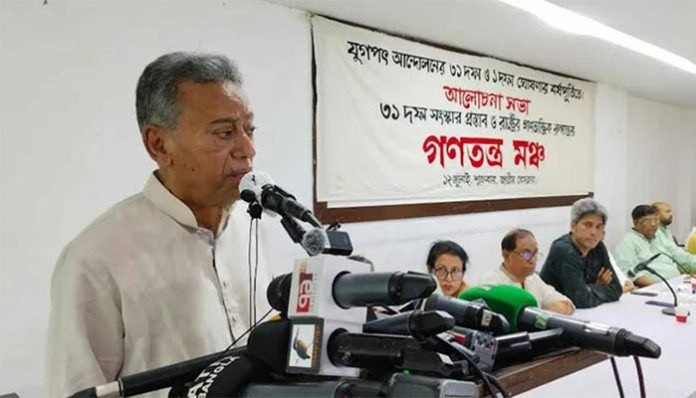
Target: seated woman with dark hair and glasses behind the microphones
x=447 y=262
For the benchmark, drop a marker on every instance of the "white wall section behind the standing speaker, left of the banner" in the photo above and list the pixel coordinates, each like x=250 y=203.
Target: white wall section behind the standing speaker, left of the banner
x=70 y=144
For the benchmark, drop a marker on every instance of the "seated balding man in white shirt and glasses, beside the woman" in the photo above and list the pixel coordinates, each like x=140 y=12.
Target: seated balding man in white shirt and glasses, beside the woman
x=520 y=253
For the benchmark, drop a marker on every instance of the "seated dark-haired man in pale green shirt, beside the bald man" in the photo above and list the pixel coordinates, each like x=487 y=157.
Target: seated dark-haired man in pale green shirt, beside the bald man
x=640 y=243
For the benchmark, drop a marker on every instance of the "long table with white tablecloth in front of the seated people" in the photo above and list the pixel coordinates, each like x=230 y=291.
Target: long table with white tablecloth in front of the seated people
x=671 y=375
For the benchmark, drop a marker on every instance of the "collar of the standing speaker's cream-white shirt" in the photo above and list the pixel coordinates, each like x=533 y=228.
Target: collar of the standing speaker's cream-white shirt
x=172 y=206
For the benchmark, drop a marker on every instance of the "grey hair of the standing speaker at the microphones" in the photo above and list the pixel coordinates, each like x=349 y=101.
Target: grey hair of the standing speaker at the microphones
x=156 y=97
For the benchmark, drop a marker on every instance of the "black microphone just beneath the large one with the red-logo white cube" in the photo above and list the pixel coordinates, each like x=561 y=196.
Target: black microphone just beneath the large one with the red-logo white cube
x=418 y=324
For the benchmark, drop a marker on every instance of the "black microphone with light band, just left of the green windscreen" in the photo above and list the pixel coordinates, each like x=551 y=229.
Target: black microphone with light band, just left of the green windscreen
x=475 y=315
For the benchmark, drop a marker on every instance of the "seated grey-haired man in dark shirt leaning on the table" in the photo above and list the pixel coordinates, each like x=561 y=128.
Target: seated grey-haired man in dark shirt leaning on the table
x=578 y=262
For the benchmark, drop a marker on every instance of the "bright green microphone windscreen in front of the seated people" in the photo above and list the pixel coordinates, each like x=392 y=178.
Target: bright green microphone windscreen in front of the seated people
x=506 y=300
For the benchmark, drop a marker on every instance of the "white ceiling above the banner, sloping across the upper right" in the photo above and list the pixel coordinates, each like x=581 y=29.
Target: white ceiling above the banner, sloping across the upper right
x=496 y=29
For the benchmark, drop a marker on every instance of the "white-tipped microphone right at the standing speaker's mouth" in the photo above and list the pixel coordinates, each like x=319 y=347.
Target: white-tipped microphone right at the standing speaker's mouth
x=273 y=198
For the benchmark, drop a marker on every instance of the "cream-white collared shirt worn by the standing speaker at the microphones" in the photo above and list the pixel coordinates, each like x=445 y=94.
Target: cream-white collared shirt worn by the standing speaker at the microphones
x=143 y=286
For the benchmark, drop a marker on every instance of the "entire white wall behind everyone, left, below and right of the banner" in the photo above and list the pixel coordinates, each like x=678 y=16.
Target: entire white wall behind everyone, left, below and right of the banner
x=69 y=146
